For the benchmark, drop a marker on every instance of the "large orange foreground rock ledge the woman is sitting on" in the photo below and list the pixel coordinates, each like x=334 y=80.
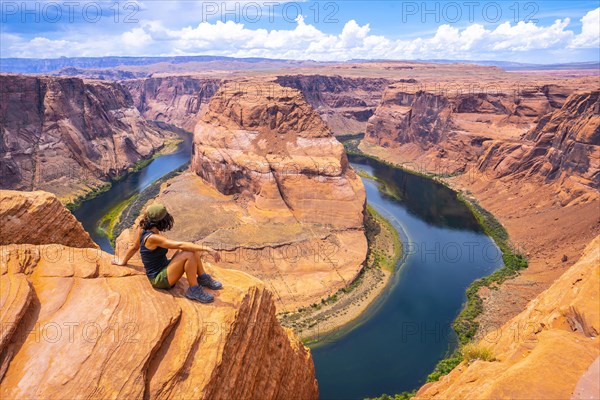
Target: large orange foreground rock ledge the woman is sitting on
x=75 y=326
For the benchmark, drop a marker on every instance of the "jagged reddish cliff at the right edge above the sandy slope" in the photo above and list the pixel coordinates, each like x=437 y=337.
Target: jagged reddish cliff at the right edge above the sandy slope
x=563 y=147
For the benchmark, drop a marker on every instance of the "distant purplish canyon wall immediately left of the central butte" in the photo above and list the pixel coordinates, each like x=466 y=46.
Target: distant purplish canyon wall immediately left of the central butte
x=176 y=100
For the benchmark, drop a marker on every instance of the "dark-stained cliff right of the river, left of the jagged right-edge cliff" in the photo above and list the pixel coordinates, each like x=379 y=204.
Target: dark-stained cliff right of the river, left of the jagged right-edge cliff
x=447 y=129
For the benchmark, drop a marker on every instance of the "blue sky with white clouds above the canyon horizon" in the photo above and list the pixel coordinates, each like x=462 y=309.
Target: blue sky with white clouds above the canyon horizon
x=522 y=31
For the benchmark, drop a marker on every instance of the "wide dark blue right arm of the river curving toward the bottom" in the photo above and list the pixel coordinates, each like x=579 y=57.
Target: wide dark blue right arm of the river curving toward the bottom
x=408 y=331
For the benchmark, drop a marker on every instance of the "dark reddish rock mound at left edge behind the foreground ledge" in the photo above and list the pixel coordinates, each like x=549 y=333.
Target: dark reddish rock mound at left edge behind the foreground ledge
x=39 y=218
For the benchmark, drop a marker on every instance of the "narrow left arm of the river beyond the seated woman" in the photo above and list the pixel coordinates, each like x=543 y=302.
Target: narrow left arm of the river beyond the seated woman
x=90 y=212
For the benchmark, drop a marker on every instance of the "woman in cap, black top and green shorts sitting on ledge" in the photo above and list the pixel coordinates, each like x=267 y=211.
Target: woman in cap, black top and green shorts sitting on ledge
x=162 y=272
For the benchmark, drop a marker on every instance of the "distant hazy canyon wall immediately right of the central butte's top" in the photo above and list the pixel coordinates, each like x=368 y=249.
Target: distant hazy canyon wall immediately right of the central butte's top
x=344 y=103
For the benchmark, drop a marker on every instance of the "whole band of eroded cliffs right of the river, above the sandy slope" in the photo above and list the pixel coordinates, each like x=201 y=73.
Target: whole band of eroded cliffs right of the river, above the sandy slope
x=539 y=132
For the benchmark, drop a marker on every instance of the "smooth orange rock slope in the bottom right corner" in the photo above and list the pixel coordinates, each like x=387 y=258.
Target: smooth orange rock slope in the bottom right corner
x=542 y=352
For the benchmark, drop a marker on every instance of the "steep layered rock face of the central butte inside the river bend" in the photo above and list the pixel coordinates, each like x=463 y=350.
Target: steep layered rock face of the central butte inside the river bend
x=276 y=148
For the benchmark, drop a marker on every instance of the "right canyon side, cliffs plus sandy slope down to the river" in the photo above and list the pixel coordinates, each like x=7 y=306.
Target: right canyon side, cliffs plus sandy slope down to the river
x=531 y=161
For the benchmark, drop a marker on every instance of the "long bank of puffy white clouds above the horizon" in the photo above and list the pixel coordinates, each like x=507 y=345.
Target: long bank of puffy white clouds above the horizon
x=305 y=41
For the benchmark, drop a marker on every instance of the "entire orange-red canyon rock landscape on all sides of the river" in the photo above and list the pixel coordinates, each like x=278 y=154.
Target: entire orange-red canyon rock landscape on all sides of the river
x=271 y=187
